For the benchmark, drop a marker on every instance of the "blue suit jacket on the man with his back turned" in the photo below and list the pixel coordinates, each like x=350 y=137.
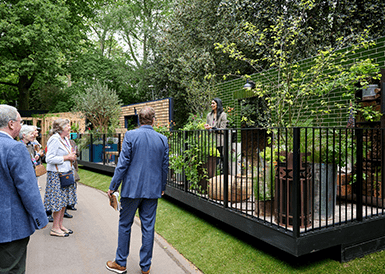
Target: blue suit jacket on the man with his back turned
x=142 y=164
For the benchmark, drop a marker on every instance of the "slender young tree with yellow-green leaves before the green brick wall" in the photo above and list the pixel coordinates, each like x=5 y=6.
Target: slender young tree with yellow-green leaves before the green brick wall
x=287 y=93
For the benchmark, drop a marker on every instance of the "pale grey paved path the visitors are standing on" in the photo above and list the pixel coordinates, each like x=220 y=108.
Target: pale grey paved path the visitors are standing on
x=95 y=226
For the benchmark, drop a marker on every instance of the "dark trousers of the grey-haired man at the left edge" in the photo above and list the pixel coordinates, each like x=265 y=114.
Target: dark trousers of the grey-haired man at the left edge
x=13 y=256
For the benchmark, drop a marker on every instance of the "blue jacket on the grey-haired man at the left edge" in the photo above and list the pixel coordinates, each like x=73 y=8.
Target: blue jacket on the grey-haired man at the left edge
x=21 y=207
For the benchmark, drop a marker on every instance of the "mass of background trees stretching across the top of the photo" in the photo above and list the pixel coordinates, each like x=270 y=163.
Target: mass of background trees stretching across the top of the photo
x=52 y=50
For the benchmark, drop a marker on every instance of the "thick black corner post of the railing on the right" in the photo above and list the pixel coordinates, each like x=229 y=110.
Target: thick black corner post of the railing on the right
x=296 y=182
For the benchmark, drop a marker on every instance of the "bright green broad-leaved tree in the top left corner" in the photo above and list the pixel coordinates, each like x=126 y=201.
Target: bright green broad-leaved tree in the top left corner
x=36 y=35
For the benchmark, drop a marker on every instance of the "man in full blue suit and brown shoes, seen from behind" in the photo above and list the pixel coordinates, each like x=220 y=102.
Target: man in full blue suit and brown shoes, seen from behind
x=143 y=168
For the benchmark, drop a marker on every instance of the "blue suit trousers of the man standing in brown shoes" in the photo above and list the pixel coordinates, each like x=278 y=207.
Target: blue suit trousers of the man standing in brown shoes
x=147 y=214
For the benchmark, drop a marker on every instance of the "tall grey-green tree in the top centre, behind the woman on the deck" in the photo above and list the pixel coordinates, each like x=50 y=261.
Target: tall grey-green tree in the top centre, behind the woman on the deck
x=186 y=56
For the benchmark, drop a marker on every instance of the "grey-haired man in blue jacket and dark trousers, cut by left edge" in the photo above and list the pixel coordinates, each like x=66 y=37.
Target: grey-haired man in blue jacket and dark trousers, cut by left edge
x=21 y=207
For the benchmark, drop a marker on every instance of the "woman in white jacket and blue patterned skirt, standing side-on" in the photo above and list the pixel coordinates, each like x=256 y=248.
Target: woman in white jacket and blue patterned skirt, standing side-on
x=59 y=158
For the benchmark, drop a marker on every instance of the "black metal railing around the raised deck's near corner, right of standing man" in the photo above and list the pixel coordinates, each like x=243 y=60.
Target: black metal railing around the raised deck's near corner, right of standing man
x=298 y=179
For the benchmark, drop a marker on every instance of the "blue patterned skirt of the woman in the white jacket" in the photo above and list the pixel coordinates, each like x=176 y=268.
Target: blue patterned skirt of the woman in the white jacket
x=55 y=198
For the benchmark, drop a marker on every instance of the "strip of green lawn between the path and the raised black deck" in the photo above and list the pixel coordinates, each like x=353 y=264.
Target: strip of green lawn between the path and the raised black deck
x=214 y=247
